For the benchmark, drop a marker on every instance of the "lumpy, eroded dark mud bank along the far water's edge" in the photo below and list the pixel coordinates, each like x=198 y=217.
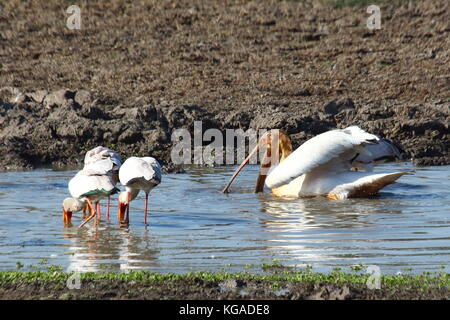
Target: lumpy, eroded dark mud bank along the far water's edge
x=56 y=128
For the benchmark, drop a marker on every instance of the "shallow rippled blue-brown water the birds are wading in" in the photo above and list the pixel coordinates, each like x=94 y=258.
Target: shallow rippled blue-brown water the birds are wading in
x=193 y=226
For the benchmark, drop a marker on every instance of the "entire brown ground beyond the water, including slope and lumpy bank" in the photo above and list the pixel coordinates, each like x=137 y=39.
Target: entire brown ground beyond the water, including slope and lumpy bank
x=137 y=70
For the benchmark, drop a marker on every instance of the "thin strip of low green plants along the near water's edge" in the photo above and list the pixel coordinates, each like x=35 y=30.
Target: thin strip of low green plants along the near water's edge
x=438 y=280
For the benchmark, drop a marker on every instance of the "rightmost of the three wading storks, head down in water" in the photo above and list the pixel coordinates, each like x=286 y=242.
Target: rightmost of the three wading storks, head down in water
x=137 y=174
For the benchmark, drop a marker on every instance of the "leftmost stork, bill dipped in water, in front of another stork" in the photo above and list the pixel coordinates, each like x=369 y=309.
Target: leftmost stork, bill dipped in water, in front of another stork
x=86 y=187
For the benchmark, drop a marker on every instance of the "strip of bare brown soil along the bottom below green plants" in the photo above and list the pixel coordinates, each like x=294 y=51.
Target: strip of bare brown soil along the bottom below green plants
x=197 y=289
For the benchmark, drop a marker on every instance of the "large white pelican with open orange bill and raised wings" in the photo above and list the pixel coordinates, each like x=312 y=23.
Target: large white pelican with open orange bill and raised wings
x=322 y=165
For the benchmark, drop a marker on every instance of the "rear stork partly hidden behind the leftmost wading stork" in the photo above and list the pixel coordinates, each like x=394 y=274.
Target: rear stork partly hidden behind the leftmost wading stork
x=105 y=161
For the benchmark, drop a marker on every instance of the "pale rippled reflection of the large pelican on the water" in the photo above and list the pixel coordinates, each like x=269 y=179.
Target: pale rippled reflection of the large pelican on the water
x=308 y=230
